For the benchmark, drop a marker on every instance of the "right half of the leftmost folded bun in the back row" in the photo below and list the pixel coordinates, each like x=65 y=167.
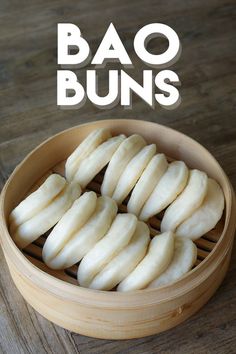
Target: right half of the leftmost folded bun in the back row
x=99 y=158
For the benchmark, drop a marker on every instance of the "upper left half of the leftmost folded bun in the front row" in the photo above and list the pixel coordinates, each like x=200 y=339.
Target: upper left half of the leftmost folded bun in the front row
x=37 y=200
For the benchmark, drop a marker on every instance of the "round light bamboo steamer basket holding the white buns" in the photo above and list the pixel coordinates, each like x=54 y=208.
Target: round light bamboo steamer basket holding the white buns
x=113 y=315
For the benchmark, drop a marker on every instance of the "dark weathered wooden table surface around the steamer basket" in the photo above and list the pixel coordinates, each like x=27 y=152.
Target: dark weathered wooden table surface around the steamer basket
x=28 y=115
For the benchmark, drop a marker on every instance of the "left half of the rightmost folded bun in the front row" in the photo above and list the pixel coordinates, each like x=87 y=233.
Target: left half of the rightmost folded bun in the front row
x=155 y=262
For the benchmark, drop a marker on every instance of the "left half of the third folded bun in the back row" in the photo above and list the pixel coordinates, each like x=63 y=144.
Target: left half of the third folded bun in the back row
x=146 y=184
